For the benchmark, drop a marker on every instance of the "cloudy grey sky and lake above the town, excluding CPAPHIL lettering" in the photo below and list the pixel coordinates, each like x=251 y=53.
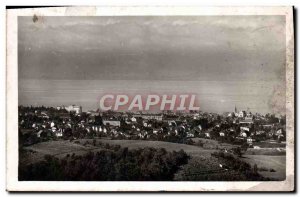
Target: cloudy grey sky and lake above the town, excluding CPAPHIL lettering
x=227 y=61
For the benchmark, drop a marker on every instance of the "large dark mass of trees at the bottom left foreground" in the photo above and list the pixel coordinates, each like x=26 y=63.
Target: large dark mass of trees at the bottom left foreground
x=112 y=163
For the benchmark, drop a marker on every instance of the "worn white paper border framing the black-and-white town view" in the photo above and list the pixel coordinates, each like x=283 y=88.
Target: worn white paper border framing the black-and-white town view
x=12 y=102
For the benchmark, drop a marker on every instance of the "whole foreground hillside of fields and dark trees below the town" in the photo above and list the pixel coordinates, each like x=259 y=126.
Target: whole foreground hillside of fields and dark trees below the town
x=203 y=164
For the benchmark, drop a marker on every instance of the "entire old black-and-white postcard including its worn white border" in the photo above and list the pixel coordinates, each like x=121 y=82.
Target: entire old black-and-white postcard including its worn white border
x=150 y=99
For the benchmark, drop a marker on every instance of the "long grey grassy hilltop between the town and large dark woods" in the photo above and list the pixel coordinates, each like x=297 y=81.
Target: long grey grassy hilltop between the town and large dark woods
x=61 y=148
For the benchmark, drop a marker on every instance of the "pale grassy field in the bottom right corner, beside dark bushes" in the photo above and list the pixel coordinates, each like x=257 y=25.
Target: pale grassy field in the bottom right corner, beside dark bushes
x=267 y=162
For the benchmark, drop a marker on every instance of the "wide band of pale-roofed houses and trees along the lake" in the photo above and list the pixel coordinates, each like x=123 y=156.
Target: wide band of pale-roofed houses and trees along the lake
x=66 y=121
